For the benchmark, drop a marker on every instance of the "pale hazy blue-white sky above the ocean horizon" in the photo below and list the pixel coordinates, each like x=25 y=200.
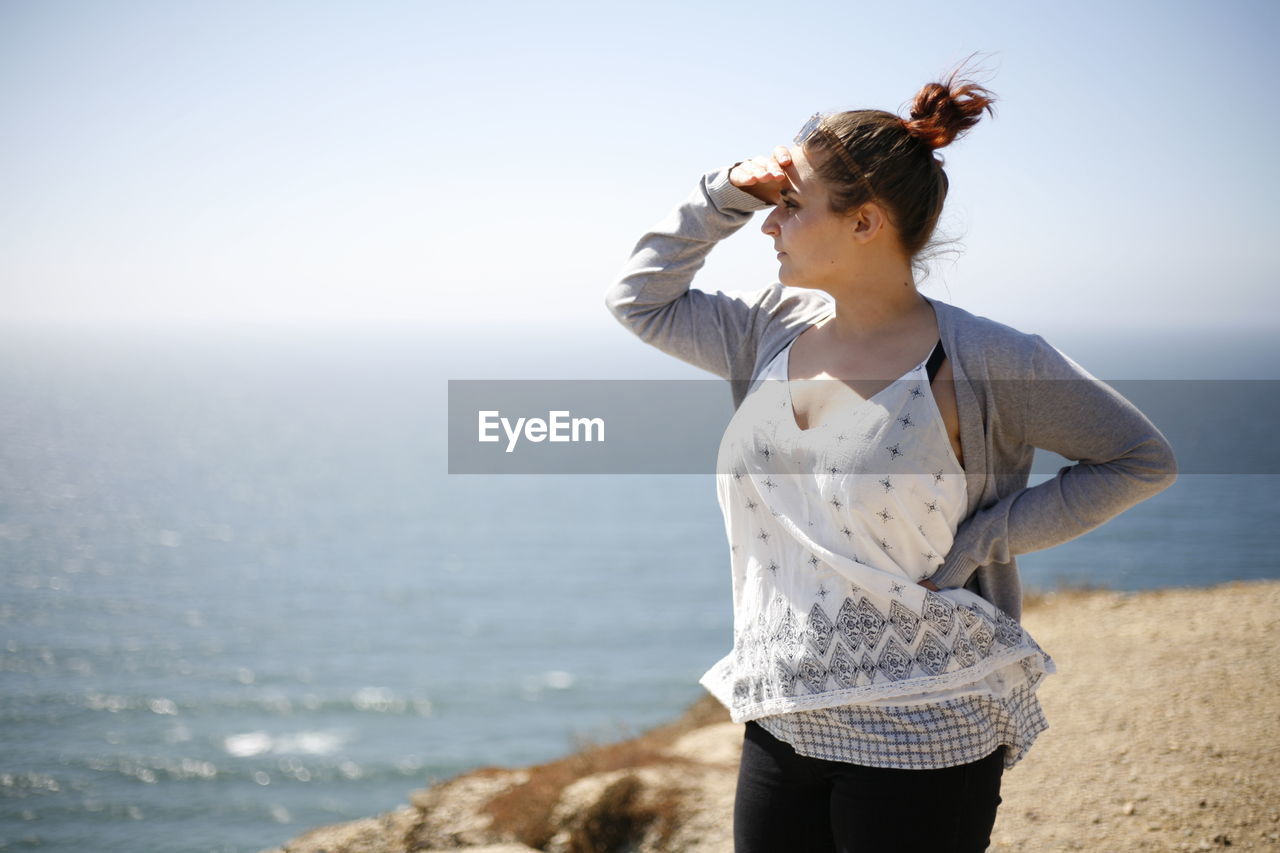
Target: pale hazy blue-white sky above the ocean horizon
x=493 y=163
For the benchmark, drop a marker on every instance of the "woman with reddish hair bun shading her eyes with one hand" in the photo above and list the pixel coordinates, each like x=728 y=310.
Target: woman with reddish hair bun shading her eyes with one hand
x=874 y=522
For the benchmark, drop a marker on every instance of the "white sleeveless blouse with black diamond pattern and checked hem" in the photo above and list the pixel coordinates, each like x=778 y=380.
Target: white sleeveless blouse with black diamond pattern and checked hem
x=838 y=651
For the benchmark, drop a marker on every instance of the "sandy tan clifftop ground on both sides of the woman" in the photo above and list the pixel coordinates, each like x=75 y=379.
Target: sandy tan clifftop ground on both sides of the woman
x=1164 y=727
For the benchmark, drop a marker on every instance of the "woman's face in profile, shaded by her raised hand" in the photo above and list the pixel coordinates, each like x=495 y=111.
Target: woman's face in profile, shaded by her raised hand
x=816 y=247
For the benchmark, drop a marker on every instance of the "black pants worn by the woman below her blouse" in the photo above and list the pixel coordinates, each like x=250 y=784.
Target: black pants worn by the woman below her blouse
x=792 y=804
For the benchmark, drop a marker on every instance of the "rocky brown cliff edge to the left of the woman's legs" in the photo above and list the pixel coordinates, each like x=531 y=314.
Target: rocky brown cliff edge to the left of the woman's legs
x=670 y=790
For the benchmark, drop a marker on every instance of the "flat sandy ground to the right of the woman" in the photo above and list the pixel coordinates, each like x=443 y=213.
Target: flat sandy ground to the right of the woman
x=1164 y=724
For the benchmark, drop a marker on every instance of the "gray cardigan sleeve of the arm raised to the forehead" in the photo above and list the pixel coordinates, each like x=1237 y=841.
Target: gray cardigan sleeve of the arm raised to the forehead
x=652 y=295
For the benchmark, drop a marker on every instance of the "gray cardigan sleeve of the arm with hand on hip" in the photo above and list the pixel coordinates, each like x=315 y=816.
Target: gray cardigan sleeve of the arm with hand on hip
x=1121 y=460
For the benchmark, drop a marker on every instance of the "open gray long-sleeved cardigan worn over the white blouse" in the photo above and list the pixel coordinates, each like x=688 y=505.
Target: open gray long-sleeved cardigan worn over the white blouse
x=1014 y=394
